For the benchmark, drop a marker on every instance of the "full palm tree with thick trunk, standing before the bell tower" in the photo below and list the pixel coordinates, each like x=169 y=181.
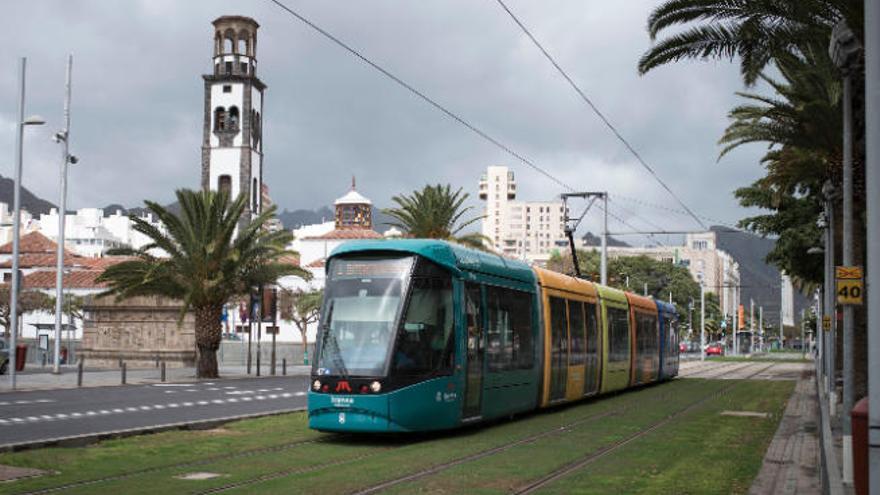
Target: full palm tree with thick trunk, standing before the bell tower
x=197 y=258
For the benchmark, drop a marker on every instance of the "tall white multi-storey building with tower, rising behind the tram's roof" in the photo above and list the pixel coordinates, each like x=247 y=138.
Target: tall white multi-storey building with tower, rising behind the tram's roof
x=524 y=229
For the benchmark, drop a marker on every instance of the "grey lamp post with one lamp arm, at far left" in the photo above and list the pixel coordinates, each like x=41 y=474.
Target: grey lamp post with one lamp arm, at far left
x=16 y=218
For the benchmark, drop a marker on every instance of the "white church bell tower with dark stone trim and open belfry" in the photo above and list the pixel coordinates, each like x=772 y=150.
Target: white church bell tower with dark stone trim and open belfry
x=232 y=147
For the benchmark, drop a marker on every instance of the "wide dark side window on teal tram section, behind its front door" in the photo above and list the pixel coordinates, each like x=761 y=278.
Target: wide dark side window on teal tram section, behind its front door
x=510 y=343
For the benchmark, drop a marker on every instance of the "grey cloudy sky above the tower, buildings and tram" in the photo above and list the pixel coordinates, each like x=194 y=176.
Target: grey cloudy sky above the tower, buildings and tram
x=138 y=102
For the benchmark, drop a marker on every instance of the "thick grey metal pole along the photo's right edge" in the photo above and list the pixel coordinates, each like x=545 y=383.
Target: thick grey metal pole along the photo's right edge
x=872 y=185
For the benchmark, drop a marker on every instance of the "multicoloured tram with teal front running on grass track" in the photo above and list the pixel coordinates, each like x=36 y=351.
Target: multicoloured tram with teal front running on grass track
x=420 y=335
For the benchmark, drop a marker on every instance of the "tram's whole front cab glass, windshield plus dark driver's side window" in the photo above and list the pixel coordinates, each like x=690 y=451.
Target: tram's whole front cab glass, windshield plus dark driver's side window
x=392 y=314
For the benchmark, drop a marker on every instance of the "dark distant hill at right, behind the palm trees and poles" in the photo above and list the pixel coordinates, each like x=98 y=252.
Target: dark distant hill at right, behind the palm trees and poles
x=759 y=279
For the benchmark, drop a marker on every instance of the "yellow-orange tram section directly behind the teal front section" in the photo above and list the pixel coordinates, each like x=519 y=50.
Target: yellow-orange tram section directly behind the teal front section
x=570 y=306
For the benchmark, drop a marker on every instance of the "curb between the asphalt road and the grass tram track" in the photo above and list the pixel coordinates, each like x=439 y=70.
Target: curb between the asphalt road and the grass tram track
x=90 y=438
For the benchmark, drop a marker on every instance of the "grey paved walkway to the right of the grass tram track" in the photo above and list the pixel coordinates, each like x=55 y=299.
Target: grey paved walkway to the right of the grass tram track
x=792 y=463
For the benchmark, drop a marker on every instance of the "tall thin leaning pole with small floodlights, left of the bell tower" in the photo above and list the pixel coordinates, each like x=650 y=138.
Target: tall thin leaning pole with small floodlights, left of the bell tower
x=62 y=137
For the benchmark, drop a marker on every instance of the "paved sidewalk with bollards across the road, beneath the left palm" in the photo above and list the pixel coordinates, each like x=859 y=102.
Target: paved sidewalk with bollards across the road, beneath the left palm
x=43 y=379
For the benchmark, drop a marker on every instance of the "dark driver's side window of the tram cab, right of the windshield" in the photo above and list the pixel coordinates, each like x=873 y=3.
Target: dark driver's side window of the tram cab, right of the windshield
x=425 y=342
